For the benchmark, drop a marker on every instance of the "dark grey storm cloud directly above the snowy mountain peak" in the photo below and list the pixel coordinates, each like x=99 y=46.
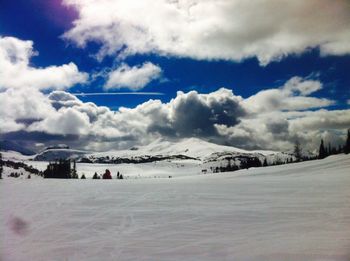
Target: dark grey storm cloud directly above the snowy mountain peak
x=194 y=114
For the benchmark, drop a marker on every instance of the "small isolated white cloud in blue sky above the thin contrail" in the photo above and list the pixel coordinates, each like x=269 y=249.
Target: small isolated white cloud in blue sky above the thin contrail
x=133 y=78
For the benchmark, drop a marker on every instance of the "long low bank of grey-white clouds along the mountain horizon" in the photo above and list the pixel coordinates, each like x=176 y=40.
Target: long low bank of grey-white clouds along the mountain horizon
x=257 y=122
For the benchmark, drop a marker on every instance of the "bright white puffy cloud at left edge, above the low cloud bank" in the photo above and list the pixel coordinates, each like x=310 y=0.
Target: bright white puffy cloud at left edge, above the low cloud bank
x=16 y=71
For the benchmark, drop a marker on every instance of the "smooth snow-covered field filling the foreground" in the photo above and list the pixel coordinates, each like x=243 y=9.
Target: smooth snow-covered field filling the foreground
x=289 y=212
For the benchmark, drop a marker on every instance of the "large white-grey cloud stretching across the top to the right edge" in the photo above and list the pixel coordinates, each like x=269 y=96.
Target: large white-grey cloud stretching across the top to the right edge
x=213 y=29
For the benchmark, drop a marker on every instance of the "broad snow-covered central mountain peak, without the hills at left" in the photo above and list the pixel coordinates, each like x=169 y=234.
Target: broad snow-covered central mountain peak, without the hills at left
x=189 y=148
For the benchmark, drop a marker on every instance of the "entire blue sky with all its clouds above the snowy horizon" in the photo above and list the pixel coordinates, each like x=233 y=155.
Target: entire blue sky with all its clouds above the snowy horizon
x=110 y=74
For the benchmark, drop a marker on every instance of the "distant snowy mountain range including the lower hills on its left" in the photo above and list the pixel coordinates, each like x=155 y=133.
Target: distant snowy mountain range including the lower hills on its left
x=160 y=150
